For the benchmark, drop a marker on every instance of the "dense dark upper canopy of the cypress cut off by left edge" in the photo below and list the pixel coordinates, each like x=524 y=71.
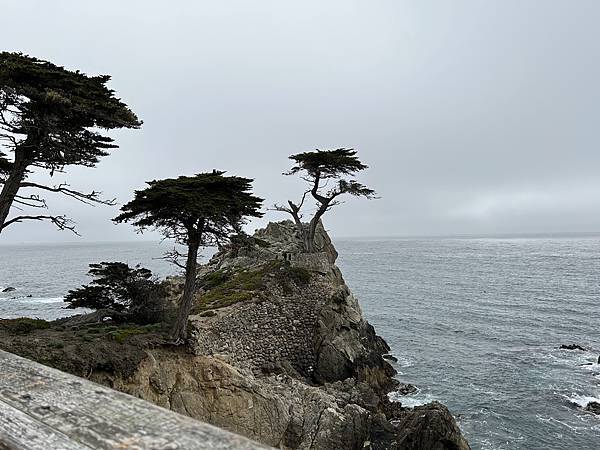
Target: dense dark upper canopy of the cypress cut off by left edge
x=59 y=111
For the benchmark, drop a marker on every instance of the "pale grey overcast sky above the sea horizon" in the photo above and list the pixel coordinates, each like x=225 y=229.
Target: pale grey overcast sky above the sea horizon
x=474 y=117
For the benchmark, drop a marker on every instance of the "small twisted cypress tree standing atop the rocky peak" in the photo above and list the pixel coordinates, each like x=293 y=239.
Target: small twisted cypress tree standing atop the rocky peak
x=318 y=168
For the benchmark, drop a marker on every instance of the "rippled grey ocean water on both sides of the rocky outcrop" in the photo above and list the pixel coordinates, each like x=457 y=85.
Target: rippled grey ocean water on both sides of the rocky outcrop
x=474 y=323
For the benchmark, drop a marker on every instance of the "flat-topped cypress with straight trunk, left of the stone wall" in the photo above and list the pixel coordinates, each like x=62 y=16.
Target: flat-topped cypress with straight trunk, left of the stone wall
x=194 y=211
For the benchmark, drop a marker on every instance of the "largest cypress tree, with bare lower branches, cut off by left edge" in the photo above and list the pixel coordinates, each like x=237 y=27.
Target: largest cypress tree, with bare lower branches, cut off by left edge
x=51 y=118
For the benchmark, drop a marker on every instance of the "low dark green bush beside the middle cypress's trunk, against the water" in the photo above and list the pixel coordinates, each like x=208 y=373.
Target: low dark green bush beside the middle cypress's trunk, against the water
x=116 y=286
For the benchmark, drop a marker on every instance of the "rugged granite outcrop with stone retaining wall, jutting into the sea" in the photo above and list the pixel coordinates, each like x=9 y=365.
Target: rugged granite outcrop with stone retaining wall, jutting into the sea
x=294 y=364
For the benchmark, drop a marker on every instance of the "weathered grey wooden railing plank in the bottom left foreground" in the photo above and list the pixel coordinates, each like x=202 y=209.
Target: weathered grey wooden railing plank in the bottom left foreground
x=98 y=417
